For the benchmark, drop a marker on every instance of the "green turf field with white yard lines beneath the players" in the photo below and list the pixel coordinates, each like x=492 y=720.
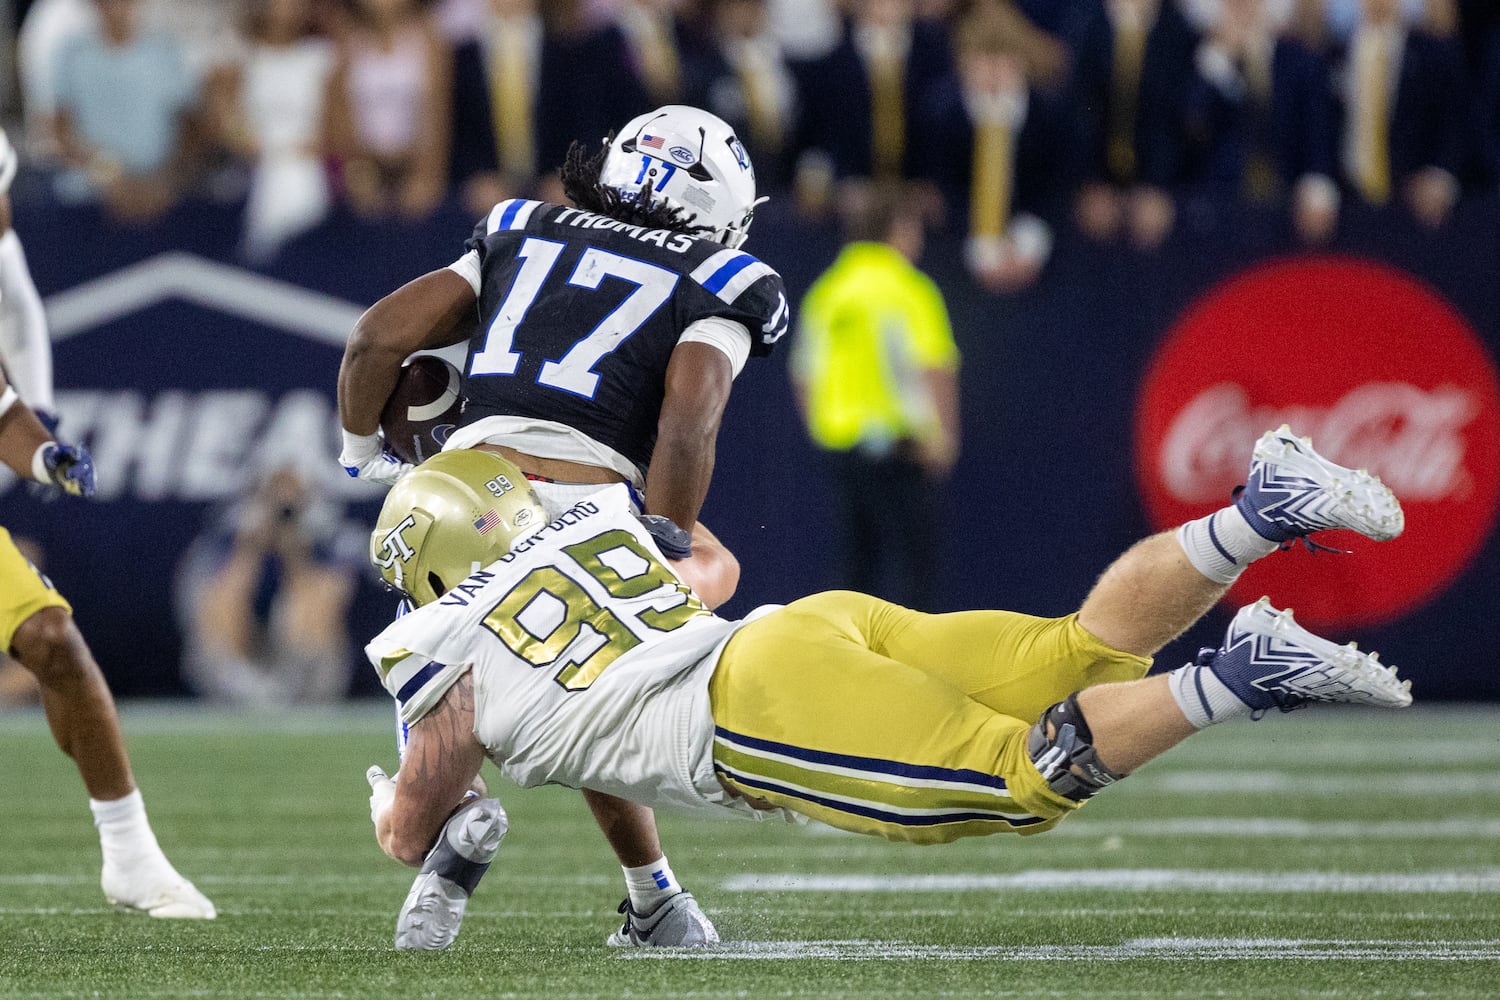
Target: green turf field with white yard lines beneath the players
x=1321 y=855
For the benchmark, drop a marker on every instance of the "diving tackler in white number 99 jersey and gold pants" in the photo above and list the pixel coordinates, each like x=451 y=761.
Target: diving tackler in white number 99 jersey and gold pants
x=575 y=651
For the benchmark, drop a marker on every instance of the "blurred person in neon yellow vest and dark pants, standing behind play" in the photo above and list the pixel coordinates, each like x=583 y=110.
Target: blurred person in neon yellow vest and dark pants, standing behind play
x=877 y=377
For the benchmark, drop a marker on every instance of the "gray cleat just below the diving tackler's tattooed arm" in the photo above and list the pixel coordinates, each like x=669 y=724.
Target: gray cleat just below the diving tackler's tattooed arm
x=434 y=909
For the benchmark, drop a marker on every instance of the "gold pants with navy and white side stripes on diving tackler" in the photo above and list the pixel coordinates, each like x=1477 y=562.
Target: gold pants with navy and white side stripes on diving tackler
x=881 y=720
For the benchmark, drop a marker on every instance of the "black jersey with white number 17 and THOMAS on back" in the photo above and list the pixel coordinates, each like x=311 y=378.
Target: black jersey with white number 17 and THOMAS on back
x=580 y=316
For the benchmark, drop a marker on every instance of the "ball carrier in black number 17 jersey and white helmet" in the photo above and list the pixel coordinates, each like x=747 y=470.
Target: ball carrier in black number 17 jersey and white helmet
x=604 y=338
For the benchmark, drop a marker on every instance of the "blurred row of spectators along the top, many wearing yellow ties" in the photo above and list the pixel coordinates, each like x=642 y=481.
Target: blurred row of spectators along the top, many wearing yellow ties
x=1009 y=118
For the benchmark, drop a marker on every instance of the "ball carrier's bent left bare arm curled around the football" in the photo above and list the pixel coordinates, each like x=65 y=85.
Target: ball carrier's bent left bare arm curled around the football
x=434 y=311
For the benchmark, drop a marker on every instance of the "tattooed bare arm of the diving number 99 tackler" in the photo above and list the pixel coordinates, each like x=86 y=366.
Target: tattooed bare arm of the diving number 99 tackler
x=440 y=767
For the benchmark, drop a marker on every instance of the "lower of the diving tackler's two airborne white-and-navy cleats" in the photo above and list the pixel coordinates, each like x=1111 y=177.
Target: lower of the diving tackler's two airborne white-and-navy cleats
x=1271 y=662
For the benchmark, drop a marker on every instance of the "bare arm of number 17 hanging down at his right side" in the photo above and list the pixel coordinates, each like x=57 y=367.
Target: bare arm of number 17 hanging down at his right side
x=698 y=383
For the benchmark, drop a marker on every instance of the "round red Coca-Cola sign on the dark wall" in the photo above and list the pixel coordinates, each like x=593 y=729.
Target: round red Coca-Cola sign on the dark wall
x=1382 y=374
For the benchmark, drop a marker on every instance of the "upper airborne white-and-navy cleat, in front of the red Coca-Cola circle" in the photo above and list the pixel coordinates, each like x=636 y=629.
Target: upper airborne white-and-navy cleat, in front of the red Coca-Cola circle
x=1292 y=491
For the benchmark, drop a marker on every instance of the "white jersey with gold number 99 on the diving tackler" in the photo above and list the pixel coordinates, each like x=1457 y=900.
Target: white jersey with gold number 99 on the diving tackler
x=590 y=660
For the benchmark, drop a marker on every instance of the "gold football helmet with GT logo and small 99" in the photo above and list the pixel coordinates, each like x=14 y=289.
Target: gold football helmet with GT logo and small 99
x=448 y=518
